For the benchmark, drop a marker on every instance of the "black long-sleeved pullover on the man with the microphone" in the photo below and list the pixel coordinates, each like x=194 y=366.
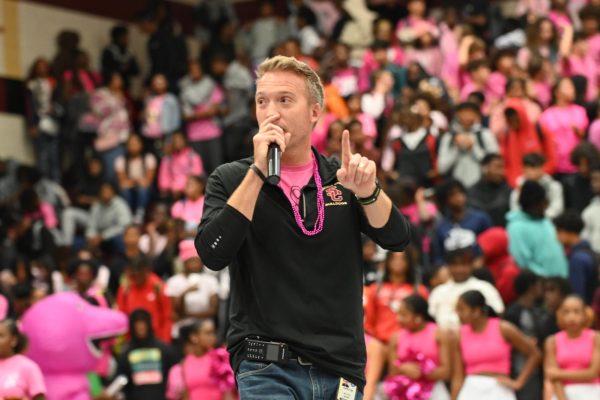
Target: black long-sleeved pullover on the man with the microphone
x=288 y=287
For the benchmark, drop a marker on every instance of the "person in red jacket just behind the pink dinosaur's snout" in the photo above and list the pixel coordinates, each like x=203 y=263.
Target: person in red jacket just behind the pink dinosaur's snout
x=141 y=288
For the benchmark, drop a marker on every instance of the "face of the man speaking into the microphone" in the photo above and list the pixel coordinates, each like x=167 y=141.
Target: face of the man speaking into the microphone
x=285 y=94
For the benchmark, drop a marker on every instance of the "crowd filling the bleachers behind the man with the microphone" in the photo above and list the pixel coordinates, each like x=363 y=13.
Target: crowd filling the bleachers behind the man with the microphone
x=486 y=132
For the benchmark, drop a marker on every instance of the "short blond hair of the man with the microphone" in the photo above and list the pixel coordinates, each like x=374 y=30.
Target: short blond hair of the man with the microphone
x=291 y=64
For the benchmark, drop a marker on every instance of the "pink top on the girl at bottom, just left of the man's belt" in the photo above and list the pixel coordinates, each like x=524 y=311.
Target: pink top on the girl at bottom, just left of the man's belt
x=197 y=376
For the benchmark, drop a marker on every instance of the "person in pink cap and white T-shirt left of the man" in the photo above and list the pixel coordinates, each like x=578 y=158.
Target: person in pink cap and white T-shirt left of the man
x=194 y=294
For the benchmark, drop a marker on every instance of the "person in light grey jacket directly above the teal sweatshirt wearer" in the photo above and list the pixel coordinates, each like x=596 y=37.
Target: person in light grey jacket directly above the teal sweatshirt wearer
x=533 y=170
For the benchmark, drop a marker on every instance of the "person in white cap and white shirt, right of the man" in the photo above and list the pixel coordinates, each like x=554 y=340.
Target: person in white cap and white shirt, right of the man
x=459 y=259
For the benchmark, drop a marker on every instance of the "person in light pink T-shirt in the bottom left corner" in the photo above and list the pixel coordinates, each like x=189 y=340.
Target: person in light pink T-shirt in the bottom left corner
x=20 y=377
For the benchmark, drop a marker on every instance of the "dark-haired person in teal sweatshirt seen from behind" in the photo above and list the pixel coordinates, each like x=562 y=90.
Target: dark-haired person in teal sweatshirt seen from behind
x=532 y=237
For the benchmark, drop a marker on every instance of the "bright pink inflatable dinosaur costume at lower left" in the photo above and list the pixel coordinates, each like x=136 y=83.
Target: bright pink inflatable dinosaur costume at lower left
x=61 y=330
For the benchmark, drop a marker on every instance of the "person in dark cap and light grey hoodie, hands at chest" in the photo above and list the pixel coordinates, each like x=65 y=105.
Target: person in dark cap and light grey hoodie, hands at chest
x=465 y=146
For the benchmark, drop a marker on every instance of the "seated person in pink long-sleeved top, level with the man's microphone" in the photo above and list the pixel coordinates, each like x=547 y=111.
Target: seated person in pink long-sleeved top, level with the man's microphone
x=176 y=167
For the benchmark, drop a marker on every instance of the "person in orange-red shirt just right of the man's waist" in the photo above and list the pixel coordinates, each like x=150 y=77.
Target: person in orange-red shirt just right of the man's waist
x=382 y=299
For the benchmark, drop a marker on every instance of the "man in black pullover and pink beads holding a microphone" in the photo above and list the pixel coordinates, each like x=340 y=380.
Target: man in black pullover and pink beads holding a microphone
x=294 y=248
